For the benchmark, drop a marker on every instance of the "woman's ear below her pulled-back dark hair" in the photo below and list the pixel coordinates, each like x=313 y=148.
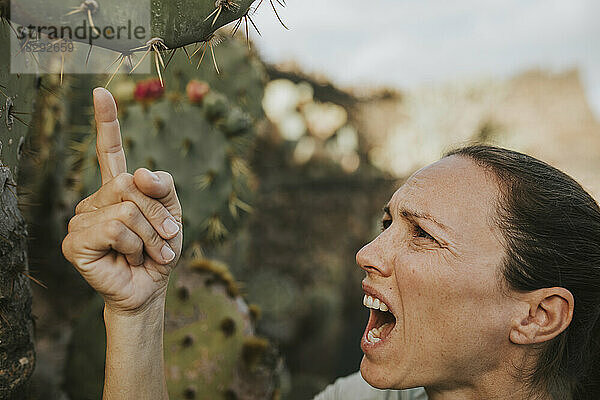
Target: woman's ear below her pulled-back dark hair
x=545 y=314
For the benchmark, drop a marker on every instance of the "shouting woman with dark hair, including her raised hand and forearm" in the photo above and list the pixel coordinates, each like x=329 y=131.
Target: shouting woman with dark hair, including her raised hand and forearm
x=484 y=283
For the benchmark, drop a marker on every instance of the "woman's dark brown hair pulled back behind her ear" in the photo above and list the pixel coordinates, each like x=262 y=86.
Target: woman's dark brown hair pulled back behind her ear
x=551 y=227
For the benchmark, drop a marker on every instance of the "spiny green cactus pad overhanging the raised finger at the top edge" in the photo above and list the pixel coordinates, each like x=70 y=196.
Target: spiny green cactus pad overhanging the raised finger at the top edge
x=176 y=22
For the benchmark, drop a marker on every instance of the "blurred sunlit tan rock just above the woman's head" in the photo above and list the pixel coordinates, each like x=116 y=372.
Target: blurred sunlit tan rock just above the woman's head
x=540 y=113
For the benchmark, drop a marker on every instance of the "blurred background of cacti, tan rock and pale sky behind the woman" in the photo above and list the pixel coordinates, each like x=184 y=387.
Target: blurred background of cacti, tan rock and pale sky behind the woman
x=283 y=162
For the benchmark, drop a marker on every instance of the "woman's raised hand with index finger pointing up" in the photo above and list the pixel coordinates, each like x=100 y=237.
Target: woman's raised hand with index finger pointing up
x=125 y=238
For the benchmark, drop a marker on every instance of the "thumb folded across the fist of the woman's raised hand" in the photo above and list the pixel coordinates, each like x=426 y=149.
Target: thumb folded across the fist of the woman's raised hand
x=160 y=186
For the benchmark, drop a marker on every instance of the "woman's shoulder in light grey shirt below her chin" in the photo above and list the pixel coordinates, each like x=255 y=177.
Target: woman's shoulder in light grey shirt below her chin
x=354 y=387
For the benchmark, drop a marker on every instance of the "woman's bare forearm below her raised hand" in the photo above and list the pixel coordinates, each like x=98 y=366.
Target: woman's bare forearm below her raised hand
x=134 y=354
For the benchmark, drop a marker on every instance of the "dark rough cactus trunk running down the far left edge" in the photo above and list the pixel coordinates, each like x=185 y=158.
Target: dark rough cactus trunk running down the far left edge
x=17 y=357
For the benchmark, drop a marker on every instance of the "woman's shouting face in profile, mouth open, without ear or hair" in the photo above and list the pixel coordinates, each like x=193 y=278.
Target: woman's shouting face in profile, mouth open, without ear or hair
x=436 y=267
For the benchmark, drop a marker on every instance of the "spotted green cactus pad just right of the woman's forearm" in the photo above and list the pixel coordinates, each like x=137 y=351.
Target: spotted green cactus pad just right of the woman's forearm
x=211 y=351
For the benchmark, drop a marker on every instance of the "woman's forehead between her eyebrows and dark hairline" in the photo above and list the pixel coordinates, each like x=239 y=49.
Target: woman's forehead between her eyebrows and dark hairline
x=454 y=191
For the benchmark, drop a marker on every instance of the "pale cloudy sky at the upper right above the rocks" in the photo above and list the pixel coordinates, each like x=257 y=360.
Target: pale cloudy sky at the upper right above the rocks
x=407 y=43
